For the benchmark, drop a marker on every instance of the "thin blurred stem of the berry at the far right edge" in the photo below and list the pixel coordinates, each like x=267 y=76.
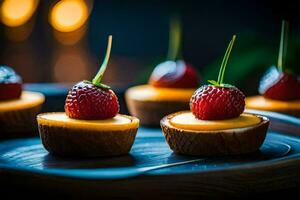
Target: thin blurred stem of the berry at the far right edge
x=283 y=45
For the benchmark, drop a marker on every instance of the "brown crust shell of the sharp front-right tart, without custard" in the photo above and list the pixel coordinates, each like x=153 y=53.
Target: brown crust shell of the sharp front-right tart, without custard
x=215 y=142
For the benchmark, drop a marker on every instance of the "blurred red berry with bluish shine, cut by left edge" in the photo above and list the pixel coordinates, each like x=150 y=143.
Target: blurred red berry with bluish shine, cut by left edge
x=10 y=84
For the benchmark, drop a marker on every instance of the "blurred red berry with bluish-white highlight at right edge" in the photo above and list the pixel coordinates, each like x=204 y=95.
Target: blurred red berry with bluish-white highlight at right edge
x=279 y=85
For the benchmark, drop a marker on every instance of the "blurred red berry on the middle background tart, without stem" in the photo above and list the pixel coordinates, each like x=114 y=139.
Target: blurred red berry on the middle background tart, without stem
x=171 y=74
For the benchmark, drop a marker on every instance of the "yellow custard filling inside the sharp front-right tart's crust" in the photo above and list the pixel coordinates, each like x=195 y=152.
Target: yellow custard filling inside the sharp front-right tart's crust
x=187 y=121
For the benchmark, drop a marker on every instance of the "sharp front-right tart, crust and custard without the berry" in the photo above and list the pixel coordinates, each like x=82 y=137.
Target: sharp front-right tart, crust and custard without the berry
x=186 y=134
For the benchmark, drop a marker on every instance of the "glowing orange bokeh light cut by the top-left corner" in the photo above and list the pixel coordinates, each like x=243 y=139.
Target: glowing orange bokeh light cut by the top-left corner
x=17 y=12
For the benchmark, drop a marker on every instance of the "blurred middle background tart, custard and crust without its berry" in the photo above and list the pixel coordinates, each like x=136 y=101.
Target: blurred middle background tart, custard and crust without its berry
x=150 y=104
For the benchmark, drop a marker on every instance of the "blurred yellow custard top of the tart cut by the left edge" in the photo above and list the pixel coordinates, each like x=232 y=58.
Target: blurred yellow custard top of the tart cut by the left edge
x=27 y=100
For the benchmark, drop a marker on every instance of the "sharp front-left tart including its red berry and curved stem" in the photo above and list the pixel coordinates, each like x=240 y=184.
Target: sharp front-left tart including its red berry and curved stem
x=91 y=125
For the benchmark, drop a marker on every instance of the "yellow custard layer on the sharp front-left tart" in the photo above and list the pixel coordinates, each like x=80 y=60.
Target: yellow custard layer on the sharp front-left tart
x=60 y=119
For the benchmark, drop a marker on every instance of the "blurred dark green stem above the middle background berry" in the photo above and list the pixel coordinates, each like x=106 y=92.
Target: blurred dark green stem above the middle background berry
x=174 y=38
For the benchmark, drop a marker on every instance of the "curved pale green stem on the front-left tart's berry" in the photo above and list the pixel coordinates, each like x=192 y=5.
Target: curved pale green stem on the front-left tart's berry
x=99 y=75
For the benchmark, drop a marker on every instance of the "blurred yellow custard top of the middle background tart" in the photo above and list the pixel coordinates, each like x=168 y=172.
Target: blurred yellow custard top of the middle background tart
x=150 y=93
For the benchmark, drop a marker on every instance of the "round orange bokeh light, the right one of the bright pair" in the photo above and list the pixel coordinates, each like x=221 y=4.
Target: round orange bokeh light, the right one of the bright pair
x=69 y=15
